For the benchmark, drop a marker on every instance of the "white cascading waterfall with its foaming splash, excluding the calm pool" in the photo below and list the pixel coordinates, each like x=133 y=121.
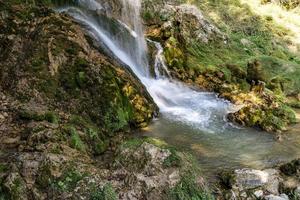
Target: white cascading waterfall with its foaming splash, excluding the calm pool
x=125 y=40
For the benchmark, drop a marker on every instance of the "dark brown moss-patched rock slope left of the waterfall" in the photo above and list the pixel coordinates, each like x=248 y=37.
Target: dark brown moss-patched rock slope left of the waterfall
x=64 y=103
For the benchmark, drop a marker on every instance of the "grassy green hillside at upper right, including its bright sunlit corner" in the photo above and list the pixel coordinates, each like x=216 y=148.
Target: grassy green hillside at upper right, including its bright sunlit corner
x=252 y=34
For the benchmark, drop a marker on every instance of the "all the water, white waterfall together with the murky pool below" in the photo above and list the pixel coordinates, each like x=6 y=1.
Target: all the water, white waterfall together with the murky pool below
x=190 y=119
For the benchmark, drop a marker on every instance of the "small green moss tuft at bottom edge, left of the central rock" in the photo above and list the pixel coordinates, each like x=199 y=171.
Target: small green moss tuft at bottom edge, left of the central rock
x=107 y=192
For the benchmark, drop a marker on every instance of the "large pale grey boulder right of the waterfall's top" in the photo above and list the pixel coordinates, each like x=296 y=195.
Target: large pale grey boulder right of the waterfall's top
x=181 y=20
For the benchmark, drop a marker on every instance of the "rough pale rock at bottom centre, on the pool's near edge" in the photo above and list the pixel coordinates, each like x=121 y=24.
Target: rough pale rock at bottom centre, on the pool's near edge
x=146 y=175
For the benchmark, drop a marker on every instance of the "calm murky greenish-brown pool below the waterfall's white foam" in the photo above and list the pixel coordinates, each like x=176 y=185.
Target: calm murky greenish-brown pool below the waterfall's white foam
x=230 y=147
